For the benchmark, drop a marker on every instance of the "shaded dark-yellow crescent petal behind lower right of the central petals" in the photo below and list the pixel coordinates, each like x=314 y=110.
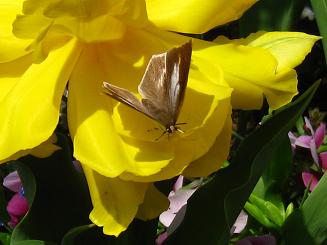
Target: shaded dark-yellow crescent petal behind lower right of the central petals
x=217 y=154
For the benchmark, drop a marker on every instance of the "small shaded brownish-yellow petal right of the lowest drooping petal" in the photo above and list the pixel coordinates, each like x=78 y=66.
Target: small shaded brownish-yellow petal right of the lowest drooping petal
x=153 y=205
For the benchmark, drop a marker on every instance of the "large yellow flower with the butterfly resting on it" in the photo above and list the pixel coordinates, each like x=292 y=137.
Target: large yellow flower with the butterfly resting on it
x=51 y=42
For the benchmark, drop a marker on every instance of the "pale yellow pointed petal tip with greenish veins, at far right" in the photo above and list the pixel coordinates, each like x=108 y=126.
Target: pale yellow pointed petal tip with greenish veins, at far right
x=289 y=48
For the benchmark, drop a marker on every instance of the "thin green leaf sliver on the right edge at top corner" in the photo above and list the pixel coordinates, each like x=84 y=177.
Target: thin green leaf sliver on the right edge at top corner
x=320 y=10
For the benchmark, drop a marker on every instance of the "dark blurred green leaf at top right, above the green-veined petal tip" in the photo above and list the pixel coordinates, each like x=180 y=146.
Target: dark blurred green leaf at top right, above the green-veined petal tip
x=271 y=15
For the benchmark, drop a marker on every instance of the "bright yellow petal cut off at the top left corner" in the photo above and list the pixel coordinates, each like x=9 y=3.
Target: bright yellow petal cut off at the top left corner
x=11 y=47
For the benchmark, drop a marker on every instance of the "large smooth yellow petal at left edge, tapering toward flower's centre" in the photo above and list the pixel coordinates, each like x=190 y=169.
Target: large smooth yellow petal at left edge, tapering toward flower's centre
x=30 y=110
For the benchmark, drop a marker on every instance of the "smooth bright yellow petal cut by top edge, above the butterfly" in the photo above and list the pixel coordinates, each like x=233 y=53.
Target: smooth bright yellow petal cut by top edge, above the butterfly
x=195 y=16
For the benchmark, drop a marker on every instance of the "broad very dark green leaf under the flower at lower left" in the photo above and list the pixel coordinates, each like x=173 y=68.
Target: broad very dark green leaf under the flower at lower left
x=57 y=194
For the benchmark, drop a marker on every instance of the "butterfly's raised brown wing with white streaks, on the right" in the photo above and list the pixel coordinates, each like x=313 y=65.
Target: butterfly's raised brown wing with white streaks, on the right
x=164 y=83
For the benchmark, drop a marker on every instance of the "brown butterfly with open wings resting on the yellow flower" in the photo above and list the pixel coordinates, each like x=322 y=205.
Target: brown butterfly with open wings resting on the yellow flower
x=162 y=87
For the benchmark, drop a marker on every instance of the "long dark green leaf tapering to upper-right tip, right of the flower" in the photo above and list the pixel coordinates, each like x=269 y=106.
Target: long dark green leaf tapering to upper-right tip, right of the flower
x=218 y=203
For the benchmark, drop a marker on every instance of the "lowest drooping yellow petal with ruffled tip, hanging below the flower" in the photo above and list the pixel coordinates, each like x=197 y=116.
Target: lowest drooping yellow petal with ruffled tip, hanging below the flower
x=115 y=202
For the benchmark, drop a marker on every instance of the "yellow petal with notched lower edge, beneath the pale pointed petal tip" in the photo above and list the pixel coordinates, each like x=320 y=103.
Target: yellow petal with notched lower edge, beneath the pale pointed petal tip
x=252 y=73
